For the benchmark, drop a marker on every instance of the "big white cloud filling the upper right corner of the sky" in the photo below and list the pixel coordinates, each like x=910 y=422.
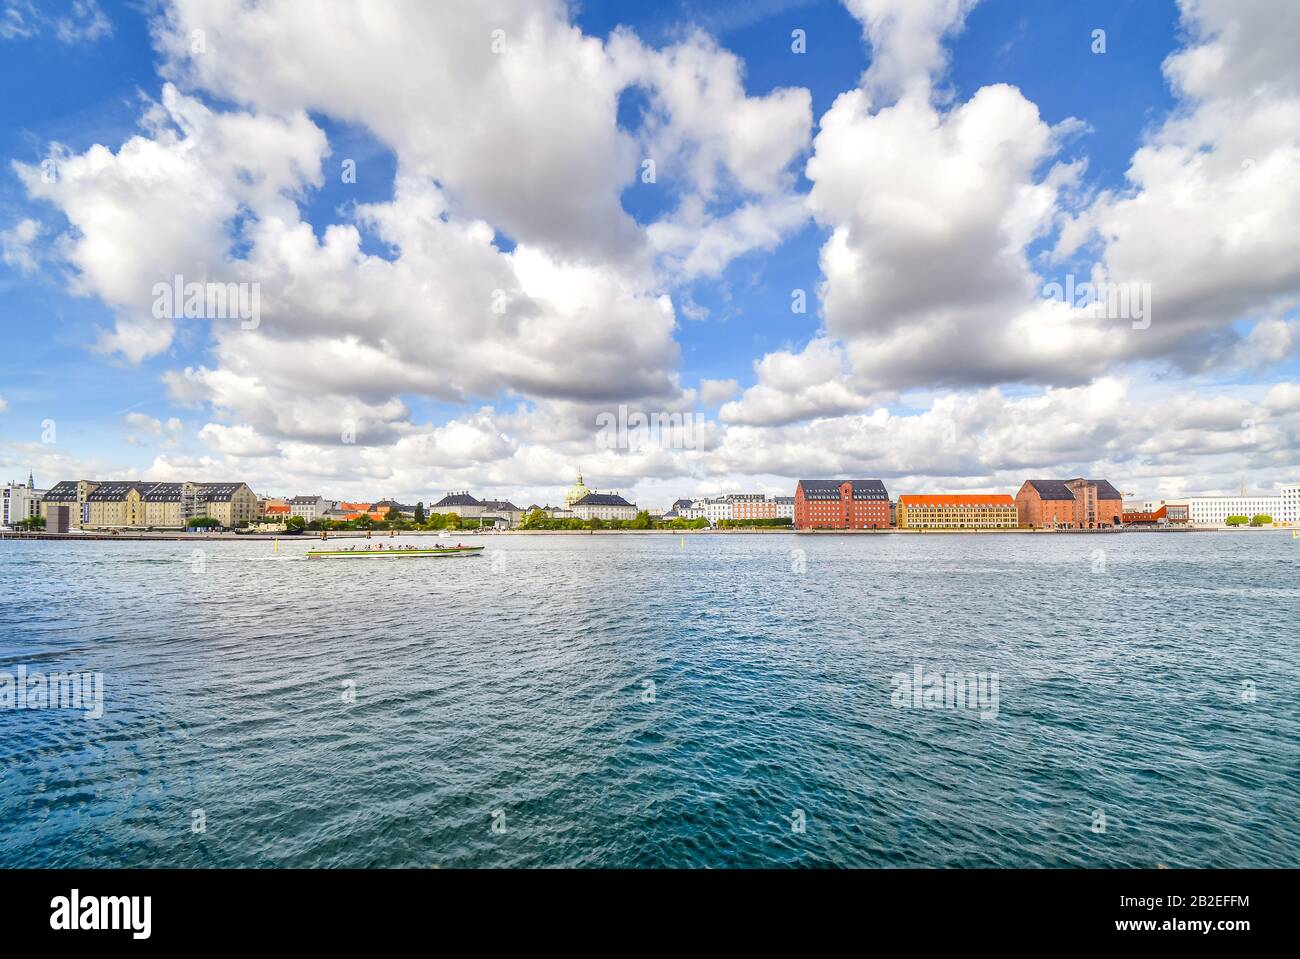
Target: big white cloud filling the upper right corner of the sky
x=1223 y=175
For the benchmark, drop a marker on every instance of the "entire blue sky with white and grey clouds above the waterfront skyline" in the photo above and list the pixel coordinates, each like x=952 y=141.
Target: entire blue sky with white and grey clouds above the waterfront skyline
x=799 y=240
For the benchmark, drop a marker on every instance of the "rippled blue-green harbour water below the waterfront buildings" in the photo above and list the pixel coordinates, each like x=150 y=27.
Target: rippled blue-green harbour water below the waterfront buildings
x=649 y=701
